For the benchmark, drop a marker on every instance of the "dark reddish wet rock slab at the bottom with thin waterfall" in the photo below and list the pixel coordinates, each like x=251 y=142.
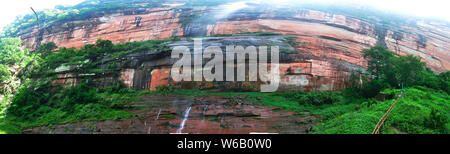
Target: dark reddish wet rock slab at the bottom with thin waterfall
x=157 y=114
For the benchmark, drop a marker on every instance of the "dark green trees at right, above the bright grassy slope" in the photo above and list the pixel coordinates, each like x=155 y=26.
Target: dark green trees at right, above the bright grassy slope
x=389 y=71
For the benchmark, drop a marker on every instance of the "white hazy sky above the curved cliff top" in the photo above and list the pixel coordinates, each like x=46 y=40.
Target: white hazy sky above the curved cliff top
x=9 y=9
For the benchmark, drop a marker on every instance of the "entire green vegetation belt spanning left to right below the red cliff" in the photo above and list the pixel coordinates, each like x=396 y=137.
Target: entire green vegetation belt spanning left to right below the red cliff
x=356 y=109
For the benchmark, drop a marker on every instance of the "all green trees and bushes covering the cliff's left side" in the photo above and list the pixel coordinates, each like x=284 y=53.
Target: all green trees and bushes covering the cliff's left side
x=40 y=103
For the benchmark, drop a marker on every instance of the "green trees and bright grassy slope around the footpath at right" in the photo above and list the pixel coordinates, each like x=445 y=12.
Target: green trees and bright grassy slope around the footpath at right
x=424 y=110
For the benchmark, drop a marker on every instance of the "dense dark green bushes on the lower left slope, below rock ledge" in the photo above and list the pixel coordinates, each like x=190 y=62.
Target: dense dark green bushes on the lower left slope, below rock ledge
x=39 y=104
